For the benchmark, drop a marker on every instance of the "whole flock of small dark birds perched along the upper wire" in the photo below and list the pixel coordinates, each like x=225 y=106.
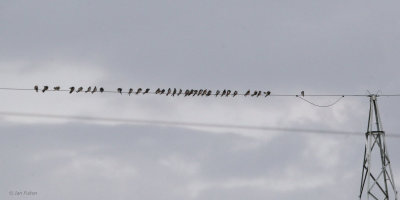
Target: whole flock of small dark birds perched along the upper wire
x=167 y=92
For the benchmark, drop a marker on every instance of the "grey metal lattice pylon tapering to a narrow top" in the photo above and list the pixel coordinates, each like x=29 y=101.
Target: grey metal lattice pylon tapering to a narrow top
x=377 y=182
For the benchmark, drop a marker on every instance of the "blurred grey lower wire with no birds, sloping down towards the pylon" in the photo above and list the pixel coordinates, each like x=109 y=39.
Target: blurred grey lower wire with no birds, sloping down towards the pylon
x=186 y=124
